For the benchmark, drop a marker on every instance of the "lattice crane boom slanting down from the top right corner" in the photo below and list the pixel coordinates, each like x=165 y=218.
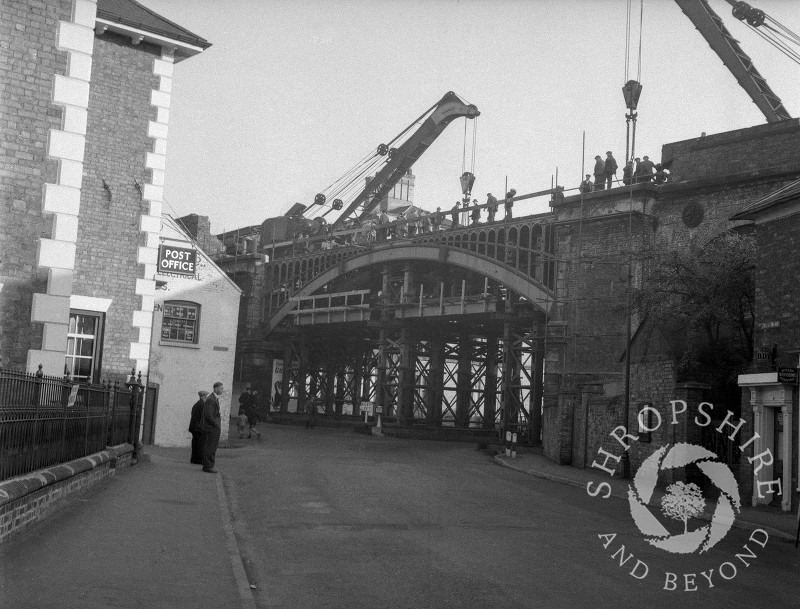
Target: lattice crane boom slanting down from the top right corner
x=735 y=59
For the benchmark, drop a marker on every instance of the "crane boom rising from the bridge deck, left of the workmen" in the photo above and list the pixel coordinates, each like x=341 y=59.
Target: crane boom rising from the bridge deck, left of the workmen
x=443 y=113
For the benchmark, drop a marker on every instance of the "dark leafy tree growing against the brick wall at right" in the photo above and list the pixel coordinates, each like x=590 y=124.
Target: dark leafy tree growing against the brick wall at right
x=706 y=290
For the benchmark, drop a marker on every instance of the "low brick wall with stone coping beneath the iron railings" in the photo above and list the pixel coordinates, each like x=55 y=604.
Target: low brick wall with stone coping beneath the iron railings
x=33 y=497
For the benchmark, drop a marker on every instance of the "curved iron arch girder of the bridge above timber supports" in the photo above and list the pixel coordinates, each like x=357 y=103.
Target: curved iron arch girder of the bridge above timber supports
x=513 y=279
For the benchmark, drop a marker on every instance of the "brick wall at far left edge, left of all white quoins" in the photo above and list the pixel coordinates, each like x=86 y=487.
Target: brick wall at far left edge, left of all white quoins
x=28 y=61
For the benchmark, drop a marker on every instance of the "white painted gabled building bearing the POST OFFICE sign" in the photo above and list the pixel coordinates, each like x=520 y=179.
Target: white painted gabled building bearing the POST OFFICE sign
x=194 y=335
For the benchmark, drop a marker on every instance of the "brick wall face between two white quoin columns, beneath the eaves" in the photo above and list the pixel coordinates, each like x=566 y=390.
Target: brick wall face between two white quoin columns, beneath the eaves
x=116 y=144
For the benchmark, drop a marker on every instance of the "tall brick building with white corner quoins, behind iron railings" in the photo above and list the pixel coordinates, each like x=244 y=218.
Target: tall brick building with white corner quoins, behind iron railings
x=85 y=112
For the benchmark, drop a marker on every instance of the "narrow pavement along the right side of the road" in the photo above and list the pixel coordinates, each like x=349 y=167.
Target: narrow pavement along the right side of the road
x=777 y=523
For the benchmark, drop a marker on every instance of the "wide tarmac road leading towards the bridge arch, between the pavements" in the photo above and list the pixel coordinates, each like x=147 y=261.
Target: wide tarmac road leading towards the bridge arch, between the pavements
x=332 y=519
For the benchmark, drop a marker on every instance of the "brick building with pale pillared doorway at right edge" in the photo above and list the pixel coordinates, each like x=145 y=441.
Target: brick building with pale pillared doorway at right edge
x=769 y=393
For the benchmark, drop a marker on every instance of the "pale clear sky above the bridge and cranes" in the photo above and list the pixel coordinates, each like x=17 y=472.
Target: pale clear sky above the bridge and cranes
x=293 y=93
